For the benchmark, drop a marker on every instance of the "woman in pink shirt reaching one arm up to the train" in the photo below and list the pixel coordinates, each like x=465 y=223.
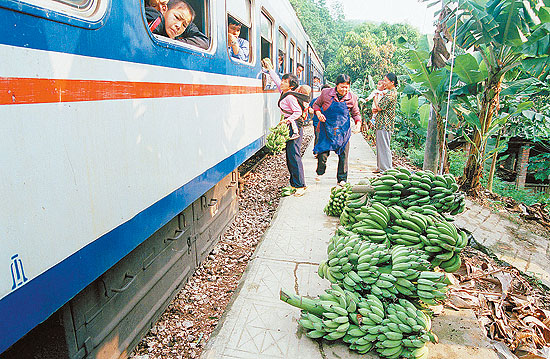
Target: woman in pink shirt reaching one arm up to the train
x=292 y=110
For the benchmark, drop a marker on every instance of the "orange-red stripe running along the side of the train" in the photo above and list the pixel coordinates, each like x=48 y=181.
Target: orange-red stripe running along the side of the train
x=17 y=91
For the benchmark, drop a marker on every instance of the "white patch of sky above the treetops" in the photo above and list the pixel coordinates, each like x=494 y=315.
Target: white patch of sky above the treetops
x=412 y=12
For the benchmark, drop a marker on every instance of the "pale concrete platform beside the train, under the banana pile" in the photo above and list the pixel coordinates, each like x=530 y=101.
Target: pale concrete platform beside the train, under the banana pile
x=259 y=325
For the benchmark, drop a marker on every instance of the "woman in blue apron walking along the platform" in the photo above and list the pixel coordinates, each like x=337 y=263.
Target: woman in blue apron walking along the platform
x=335 y=107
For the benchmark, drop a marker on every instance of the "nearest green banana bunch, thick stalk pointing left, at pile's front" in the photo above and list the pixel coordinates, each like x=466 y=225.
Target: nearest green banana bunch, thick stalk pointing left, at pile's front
x=365 y=323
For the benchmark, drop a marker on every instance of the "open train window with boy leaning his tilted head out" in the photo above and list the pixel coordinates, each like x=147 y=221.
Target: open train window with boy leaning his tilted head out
x=183 y=21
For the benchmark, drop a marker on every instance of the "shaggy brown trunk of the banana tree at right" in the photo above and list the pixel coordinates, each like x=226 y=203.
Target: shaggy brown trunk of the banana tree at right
x=470 y=181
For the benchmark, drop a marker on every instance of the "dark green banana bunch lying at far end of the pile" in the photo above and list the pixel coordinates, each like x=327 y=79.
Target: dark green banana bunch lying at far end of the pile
x=399 y=185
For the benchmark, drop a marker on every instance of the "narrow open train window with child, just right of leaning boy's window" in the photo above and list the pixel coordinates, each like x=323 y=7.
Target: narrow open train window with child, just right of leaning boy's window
x=239 y=25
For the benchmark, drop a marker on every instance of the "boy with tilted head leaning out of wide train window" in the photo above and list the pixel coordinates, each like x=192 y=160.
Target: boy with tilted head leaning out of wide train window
x=176 y=23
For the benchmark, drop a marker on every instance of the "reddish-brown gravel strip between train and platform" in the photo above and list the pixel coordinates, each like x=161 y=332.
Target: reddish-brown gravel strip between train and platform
x=184 y=328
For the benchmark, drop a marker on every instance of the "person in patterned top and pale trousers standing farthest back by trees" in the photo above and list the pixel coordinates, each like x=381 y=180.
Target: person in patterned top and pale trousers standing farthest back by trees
x=384 y=123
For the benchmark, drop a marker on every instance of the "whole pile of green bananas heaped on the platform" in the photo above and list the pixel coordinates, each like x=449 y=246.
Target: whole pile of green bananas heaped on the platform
x=381 y=263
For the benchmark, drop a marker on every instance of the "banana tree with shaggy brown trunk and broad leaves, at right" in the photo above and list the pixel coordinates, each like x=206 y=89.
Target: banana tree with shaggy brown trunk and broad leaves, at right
x=507 y=34
